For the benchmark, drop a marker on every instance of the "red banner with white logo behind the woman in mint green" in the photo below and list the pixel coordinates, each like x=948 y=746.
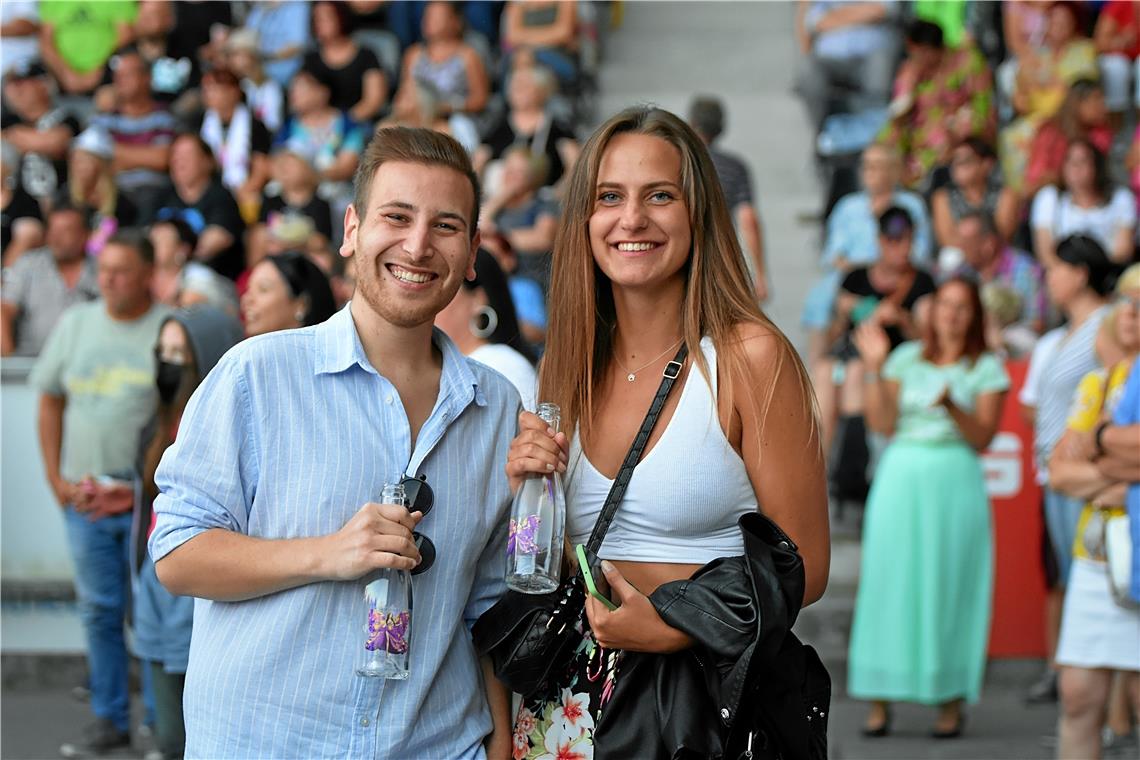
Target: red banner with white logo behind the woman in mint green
x=1020 y=584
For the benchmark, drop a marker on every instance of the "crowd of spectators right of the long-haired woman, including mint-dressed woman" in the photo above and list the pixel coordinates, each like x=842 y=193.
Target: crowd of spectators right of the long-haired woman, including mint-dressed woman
x=1000 y=146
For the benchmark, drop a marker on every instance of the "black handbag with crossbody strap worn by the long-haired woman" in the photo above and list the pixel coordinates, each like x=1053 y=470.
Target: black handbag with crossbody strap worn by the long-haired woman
x=530 y=638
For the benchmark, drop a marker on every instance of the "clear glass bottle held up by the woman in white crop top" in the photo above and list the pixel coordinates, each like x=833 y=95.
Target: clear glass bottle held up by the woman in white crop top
x=538 y=527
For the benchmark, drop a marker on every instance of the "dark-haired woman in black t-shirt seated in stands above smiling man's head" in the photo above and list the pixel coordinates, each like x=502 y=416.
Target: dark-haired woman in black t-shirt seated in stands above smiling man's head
x=353 y=73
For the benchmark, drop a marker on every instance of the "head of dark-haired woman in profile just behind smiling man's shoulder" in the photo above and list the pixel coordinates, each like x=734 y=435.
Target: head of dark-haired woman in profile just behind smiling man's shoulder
x=287 y=292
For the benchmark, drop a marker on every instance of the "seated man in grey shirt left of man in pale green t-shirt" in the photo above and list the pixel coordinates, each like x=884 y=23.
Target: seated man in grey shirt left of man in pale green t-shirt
x=44 y=283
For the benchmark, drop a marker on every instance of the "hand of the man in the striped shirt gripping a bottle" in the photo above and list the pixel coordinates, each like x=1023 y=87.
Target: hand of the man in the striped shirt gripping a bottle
x=378 y=536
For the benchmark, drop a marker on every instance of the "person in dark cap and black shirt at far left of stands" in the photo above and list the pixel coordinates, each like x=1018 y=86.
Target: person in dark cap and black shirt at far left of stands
x=36 y=127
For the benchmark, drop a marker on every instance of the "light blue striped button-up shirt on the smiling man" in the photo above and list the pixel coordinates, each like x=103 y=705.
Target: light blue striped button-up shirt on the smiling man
x=288 y=438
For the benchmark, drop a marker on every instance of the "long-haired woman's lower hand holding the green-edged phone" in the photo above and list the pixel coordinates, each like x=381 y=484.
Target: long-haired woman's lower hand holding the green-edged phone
x=636 y=625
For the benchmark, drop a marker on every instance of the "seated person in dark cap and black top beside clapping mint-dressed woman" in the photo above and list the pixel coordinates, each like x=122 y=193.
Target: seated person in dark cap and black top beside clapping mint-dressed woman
x=887 y=293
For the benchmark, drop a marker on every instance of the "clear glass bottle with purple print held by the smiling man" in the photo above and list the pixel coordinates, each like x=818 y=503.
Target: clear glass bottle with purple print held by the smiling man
x=388 y=601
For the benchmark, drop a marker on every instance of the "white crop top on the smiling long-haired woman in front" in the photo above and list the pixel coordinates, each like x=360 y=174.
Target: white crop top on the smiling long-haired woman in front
x=686 y=495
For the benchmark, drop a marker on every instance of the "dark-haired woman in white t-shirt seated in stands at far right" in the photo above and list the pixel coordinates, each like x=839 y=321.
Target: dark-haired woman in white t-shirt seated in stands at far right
x=1085 y=203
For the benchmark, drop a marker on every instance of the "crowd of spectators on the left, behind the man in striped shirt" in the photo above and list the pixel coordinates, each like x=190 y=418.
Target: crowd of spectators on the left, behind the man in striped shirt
x=176 y=176
